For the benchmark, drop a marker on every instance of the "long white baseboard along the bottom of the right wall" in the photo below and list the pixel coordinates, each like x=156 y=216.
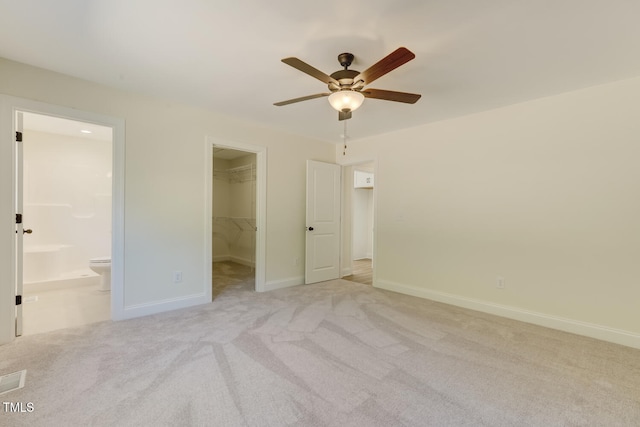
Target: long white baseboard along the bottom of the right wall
x=591 y=330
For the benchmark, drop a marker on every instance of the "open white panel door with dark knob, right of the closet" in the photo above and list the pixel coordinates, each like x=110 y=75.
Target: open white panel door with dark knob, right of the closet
x=322 y=259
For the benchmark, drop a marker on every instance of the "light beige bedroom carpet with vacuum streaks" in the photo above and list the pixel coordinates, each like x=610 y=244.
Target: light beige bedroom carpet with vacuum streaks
x=331 y=354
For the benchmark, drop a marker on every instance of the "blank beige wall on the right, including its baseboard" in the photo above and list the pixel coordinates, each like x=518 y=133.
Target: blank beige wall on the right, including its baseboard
x=544 y=194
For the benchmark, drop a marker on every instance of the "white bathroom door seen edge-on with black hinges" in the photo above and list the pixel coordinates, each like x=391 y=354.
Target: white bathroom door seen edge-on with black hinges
x=19 y=225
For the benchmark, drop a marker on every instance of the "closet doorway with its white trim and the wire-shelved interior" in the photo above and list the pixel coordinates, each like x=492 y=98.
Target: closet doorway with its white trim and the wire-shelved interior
x=239 y=222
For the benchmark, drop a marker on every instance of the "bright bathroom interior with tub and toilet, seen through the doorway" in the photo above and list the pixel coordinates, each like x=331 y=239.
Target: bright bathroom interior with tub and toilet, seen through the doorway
x=66 y=190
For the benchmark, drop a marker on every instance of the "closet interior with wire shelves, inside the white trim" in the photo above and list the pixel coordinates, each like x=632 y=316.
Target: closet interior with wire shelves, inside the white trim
x=234 y=225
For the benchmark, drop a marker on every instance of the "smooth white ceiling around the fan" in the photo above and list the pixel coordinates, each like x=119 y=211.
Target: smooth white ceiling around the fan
x=225 y=55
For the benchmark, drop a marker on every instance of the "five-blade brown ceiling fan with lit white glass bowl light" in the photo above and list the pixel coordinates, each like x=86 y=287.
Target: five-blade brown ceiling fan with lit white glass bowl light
x=347 y=87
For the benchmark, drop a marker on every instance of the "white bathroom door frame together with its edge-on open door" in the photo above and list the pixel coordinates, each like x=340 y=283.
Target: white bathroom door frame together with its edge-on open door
x=10 y=257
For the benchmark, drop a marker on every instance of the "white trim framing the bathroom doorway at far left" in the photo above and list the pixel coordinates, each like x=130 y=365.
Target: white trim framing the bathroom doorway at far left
x=9 y=105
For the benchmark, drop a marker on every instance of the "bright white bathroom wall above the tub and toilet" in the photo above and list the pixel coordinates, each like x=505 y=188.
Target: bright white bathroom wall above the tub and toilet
x=67 y=201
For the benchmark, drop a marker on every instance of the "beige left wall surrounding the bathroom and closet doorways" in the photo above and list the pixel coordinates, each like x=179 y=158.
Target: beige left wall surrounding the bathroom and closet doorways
x=165 y=181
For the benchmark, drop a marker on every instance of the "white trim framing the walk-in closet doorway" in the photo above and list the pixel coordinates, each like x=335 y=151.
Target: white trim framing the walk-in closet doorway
x=261 y=208
